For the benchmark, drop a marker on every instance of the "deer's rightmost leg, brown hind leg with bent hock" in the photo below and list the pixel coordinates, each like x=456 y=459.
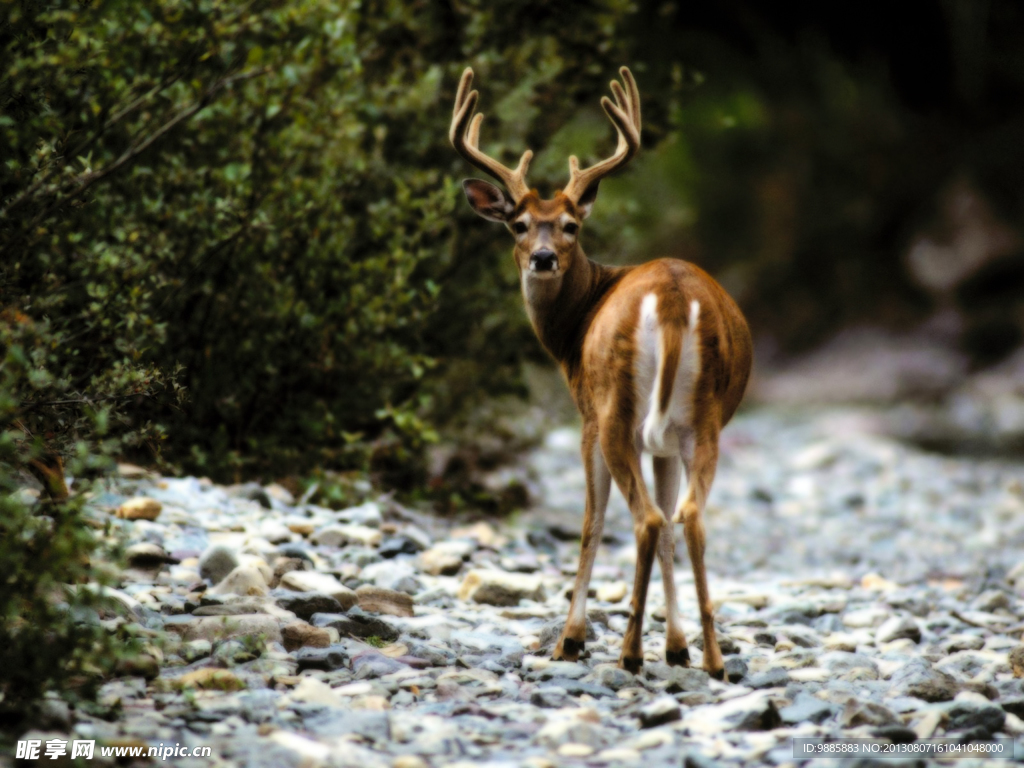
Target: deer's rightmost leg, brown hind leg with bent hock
x=701 y=472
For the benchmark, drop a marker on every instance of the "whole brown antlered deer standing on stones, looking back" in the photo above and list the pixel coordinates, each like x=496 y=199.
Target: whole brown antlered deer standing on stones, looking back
x=657 y=358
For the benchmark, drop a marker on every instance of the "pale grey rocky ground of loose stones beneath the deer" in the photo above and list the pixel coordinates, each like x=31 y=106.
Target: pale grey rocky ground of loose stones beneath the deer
x=864 y=588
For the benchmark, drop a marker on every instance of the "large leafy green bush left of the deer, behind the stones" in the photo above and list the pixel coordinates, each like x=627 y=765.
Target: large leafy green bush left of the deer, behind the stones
x=253 y=205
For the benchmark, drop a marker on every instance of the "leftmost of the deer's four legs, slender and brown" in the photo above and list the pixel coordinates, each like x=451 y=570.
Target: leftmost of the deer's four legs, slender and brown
x=571 y=645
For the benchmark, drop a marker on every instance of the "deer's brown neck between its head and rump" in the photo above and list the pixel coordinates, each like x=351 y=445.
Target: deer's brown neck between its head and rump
x=562 y=310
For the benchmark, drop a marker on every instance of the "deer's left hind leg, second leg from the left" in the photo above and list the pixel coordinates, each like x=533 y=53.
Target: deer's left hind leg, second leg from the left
x=623 y=457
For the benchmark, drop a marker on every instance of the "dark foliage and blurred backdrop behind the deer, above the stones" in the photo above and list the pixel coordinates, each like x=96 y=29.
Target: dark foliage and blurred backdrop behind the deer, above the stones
x=233 y=241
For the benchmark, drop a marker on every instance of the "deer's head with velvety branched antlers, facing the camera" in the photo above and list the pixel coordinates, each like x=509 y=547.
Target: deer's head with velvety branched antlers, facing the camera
x=546 y=232
